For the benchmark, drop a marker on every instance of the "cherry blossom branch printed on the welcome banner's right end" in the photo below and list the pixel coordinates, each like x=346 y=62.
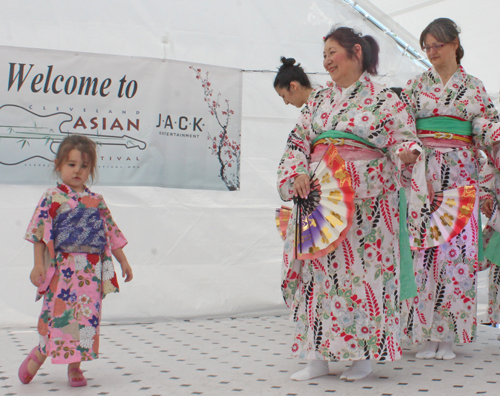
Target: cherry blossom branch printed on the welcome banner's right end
x=227 y=151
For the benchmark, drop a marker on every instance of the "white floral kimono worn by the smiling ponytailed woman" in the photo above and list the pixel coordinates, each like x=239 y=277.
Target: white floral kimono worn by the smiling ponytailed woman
x=346 y=304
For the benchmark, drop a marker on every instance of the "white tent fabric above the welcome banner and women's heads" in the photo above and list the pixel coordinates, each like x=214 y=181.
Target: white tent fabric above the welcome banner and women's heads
x=255 y=41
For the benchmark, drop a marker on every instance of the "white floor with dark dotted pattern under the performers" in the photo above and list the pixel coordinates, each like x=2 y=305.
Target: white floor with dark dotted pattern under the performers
x=242 y=356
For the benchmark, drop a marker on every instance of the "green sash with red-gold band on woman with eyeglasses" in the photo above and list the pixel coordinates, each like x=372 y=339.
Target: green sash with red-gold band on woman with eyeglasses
x=444 y=127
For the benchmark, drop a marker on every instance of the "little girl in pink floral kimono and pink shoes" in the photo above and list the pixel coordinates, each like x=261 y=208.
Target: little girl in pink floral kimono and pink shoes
x=74 y=236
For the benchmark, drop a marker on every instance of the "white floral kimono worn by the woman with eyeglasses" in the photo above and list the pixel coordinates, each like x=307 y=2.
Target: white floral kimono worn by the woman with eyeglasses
x=445 y=307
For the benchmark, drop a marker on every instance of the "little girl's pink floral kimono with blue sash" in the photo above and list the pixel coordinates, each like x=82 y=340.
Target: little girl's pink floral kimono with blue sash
x=79 y=234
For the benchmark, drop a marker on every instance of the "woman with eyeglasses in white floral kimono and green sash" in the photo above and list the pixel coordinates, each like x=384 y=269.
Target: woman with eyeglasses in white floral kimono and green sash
x=454 y=118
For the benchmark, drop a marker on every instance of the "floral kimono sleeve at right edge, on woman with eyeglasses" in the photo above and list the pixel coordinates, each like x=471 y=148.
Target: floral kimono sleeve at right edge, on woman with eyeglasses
x=486 y=124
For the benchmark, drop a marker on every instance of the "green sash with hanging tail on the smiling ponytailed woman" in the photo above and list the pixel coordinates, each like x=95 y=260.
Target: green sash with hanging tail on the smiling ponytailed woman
x=408 y=287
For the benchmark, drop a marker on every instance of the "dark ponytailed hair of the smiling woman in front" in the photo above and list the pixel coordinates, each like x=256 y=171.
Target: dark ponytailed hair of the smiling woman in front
x=347 y=39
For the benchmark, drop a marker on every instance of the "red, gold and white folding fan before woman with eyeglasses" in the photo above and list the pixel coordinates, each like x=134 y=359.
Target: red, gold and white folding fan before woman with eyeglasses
x=450 y=213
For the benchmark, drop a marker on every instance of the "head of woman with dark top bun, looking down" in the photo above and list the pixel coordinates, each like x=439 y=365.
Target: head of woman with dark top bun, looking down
x=292 y=84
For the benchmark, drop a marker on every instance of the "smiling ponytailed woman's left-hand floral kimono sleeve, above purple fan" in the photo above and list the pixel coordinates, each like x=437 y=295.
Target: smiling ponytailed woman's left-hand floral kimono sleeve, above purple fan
x=295 y=160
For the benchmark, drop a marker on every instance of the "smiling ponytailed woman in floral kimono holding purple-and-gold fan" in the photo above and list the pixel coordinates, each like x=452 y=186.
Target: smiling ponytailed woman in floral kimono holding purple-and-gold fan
x=345 y=302
